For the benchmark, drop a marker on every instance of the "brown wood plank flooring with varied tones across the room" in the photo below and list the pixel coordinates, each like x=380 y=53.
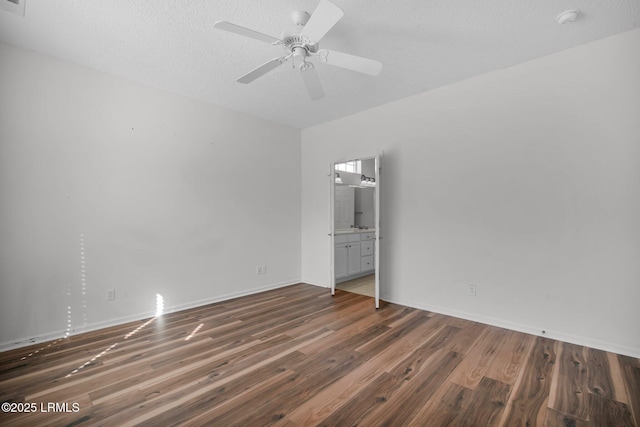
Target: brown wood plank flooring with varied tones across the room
x=297 y=356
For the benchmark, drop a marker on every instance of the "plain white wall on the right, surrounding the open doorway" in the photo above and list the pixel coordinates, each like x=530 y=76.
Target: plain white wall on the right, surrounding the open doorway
x=524 y=182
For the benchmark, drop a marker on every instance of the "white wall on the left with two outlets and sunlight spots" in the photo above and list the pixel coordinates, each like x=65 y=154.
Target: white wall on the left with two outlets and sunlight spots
x=172 y=196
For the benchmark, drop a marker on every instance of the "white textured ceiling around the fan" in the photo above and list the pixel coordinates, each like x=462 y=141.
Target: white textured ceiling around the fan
x=423 y=44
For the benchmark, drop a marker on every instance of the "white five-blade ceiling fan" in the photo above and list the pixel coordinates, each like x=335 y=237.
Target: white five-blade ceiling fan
x=301 y=43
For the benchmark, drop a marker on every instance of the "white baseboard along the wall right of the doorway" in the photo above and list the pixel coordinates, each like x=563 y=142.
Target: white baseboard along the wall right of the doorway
x=527 y=329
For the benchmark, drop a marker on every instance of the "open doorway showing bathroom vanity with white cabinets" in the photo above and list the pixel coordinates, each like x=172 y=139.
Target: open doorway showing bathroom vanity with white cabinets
x=354 y=226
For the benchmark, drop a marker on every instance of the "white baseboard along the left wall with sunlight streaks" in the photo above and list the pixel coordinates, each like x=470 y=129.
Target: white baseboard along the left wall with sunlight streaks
x=51 y=336
